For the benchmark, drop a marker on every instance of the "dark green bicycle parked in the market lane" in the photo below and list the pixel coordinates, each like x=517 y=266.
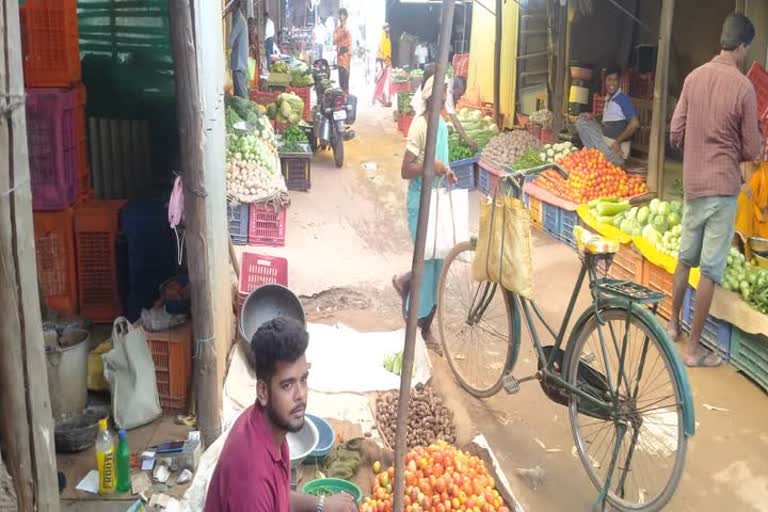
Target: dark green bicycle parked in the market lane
x=625 y=406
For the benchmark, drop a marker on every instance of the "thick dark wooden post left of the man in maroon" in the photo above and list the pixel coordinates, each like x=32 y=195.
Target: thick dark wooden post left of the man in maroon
x=190 y=125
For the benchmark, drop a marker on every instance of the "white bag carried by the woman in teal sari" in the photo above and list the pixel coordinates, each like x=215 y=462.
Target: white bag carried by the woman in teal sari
x=448 y=221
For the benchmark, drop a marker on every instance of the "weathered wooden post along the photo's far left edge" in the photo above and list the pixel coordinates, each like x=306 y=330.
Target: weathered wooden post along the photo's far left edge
x=26 y=426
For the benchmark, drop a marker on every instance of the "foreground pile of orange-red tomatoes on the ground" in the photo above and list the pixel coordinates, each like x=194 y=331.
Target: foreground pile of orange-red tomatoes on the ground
x=440 y=478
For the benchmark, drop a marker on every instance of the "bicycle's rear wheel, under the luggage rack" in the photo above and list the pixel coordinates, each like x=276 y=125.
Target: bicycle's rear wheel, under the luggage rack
x=645 y=431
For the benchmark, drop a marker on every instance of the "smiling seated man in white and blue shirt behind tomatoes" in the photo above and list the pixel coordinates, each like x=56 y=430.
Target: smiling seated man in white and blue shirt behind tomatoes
x=619 y=123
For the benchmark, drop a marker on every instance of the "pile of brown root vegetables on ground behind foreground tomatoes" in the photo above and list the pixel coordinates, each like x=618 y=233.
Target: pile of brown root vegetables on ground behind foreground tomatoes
x=428 y=420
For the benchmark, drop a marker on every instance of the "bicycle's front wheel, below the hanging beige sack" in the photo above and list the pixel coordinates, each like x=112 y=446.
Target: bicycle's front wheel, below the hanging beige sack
x=479 y=325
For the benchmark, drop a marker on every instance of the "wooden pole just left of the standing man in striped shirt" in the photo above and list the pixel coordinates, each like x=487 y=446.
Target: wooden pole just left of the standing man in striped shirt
x=657 y=149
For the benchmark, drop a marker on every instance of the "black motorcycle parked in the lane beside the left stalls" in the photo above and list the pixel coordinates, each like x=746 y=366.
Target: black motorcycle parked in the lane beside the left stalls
x=333 y=115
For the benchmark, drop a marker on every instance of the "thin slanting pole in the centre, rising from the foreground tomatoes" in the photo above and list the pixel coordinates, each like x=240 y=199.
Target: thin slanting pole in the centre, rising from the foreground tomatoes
x=418 y=252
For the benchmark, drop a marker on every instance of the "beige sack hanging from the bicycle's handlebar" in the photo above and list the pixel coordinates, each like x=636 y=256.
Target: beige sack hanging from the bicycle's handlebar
x=504 y=245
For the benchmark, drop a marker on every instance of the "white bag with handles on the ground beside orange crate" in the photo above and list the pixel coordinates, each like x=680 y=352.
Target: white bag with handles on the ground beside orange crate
x=130 y=371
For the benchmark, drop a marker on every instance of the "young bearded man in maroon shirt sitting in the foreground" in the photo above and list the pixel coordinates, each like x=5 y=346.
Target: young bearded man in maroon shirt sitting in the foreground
x=254 y=470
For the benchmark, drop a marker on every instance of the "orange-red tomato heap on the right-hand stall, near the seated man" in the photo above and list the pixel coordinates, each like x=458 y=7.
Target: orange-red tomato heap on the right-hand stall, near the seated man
x=590 y=176
